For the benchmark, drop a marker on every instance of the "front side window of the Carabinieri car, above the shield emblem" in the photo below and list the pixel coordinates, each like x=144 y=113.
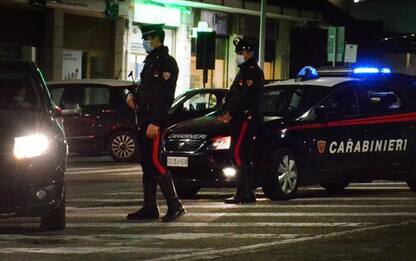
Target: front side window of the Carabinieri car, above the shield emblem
x=342 y=103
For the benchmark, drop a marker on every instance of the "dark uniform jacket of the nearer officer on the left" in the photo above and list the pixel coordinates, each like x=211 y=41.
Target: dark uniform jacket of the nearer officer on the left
x=156 y=90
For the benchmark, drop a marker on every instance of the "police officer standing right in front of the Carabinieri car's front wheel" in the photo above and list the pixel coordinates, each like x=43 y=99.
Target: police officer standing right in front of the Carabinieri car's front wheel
x=242 y=111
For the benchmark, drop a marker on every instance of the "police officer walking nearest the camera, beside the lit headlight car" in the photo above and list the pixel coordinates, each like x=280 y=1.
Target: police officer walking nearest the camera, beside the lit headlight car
x=153 y=98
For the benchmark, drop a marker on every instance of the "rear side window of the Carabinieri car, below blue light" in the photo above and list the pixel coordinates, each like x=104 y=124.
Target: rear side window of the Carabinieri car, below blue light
x=379 y=99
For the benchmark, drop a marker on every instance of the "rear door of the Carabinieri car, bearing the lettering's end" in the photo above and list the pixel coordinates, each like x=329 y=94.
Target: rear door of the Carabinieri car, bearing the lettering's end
x=391 y=126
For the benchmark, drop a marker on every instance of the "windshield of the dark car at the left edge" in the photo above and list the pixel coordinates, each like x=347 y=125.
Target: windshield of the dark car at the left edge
x=18 y=90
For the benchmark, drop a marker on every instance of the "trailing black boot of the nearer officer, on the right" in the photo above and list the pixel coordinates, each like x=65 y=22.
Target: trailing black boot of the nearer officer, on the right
x=175 y=208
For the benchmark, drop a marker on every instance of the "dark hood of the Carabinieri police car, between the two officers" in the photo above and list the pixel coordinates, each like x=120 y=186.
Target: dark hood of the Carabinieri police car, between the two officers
x=205 y=127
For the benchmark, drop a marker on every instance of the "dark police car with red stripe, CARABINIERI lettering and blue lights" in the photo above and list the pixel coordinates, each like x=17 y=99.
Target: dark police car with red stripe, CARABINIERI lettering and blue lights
x=330 y=127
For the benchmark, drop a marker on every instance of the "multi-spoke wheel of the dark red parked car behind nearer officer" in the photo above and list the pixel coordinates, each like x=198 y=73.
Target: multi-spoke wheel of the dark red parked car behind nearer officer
x=122 y=146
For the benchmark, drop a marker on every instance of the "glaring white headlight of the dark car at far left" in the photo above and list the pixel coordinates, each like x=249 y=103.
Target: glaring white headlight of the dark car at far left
x=30 y=146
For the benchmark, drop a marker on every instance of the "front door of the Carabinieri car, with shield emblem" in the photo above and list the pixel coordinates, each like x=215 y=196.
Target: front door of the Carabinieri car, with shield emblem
x=333 y=147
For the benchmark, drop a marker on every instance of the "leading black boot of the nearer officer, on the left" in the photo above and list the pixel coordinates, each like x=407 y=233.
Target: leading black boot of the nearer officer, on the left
x=150 y=210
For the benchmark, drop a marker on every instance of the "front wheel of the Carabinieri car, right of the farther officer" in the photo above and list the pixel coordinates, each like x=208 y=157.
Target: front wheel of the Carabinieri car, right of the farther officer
x=281 y=178
